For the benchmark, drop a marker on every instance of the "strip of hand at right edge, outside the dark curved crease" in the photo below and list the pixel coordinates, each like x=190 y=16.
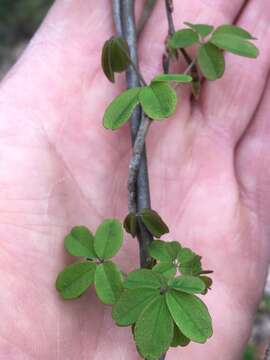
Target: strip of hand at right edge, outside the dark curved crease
x=252 y=168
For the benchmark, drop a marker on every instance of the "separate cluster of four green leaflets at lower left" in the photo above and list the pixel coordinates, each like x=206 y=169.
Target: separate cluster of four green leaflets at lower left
x=96 y=266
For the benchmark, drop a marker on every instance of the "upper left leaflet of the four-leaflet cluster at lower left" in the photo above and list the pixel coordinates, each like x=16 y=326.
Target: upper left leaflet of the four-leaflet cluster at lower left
x=80 y=242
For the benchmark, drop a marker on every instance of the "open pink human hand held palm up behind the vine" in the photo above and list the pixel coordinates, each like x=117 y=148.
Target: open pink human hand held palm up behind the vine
x=209 y=175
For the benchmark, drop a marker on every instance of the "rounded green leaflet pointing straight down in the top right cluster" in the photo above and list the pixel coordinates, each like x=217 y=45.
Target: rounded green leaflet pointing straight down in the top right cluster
x=211 y=61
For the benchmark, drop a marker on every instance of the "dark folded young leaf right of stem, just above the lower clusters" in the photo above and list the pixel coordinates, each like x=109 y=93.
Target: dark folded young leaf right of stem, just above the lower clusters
x=153 y=222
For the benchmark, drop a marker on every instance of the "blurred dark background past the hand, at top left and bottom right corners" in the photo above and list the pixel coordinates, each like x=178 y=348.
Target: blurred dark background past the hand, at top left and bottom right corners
x=19 y=19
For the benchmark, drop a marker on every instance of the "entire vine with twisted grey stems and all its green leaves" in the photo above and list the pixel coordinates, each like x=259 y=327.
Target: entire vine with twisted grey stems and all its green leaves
x=160 y=302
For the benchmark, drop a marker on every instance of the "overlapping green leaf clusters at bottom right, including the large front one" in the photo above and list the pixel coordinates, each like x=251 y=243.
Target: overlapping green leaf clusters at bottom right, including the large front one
x=162 y=305
